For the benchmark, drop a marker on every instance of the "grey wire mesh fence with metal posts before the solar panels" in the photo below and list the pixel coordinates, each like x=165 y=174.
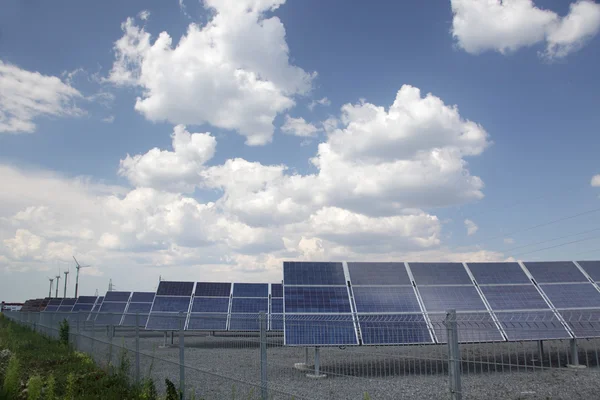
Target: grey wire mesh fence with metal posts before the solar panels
x=255 y=364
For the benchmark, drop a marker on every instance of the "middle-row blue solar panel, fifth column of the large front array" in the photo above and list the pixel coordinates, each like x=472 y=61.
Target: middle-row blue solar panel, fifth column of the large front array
x=576 y=295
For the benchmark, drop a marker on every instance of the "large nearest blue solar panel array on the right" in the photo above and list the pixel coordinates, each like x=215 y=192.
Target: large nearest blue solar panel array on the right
x=406 y=303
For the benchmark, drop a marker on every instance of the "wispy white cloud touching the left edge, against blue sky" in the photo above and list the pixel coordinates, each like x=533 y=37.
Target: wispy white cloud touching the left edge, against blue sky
x=26 y=96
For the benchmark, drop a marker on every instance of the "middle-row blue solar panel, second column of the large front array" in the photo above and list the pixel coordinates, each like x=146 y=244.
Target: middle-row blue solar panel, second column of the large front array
x=385 y=299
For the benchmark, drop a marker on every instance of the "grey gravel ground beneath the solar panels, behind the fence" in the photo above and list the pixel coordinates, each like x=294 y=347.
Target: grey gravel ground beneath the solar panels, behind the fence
x=228 y=367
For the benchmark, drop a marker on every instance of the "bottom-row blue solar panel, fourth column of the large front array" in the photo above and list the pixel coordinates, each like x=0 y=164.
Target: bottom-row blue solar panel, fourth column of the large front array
x=531 y=325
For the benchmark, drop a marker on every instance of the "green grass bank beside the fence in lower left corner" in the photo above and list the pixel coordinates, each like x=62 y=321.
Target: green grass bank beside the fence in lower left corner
x=73 y=375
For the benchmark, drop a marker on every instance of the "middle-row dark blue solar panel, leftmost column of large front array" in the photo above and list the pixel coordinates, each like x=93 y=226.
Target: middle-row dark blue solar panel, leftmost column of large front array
x=316 y=299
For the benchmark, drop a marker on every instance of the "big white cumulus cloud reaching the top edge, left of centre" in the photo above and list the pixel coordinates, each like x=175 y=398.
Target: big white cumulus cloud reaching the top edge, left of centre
x=233 y=73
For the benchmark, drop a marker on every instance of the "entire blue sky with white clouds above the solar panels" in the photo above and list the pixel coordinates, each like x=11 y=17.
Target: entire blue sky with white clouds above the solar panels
x=223 y=207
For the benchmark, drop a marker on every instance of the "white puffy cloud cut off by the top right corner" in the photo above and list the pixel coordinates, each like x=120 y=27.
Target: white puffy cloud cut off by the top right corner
x=506 y=26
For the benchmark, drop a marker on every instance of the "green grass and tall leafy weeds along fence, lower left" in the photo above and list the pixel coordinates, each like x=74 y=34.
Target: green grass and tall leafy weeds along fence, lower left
x=33 y=366
